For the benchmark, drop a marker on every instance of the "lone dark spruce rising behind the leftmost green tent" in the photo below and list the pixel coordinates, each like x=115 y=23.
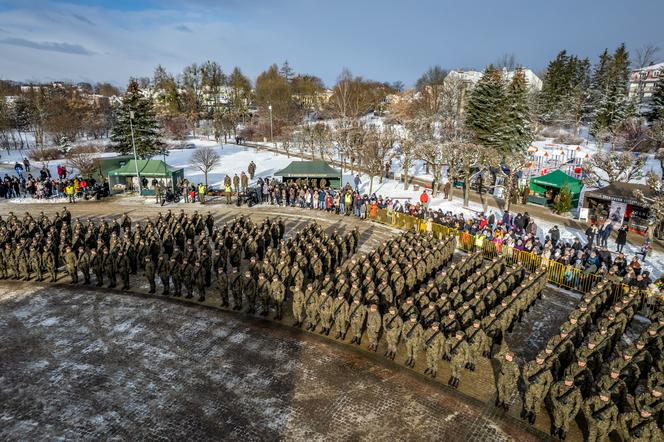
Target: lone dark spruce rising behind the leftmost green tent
x=146 y=129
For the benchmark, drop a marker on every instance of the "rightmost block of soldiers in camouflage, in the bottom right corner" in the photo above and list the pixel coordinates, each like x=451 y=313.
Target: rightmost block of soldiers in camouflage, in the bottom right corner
x=588 y=371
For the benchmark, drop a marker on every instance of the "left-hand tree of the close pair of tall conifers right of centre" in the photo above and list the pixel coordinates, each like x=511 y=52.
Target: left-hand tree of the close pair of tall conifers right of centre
x=485 y=109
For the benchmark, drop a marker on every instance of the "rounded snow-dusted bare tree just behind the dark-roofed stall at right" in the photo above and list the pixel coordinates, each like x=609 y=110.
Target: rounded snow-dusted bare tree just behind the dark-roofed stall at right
x=605 y=168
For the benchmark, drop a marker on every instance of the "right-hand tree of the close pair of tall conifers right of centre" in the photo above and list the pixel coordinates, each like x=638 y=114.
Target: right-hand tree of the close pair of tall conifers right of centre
x=516 y=132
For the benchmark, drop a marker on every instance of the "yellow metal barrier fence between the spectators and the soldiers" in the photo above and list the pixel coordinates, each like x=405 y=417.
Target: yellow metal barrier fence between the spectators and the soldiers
x=561 y=275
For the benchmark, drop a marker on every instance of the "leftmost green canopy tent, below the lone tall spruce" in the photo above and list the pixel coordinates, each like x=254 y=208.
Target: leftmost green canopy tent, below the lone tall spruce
x=125 y=177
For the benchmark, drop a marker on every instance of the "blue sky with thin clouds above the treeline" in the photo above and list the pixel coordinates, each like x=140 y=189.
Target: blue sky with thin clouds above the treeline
x=388 y=40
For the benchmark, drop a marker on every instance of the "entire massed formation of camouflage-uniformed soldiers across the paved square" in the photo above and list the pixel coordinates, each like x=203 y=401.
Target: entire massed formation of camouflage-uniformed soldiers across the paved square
x=407 y=294
